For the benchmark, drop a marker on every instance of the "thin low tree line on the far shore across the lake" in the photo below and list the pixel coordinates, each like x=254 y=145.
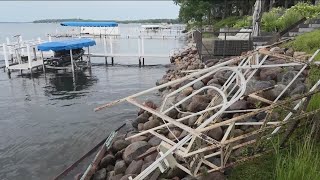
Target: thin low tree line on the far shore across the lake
x=173 y=21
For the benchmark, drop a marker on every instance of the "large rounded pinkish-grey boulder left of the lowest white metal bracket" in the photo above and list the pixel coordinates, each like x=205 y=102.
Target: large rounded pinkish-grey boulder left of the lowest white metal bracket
x=134 y=150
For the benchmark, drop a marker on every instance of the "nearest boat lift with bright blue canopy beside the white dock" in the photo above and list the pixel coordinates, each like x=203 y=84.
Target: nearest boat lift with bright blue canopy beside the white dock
x=62 y=56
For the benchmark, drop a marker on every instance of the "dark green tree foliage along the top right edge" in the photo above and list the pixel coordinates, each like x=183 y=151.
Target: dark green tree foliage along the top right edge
x=206 y=11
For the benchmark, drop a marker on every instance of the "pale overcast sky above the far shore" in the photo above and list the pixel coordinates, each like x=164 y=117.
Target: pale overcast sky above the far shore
x=22 y=11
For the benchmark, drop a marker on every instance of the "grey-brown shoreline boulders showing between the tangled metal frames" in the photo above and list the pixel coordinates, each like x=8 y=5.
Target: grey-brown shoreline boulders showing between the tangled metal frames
x=121 y=160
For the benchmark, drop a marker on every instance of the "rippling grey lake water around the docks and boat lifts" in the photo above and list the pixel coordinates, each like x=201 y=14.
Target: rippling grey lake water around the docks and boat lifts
x=47 y=122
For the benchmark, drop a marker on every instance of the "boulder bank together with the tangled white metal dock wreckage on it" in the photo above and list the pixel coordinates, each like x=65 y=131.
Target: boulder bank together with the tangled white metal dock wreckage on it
x=213 y=115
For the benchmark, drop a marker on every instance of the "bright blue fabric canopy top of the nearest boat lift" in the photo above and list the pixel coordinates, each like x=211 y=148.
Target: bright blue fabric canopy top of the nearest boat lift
x=66 y=44
